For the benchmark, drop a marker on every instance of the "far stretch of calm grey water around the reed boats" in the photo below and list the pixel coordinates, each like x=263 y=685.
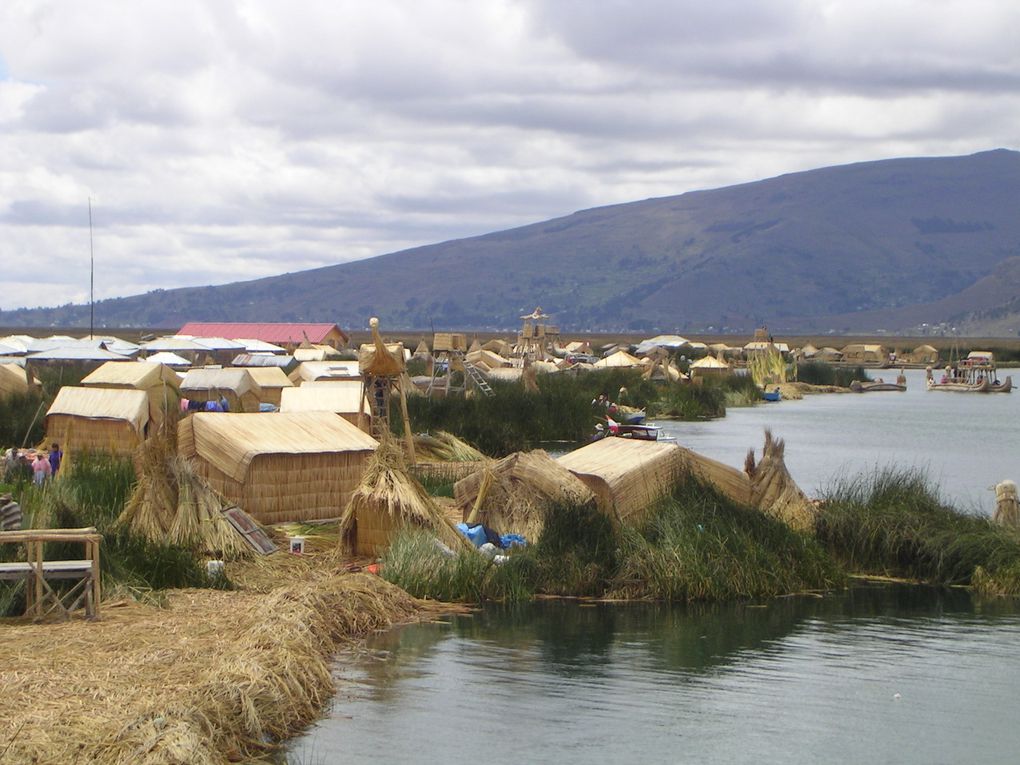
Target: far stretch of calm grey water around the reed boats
x=967 y=443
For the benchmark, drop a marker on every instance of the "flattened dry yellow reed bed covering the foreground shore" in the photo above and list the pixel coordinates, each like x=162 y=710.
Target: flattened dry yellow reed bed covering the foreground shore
x=216 y=678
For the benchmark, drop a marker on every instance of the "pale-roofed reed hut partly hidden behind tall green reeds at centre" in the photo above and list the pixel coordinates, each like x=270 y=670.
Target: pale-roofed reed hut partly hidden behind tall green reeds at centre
x=629 y=477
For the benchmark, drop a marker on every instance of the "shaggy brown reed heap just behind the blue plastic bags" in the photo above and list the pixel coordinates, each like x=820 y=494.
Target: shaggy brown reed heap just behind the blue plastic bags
x=515 y=495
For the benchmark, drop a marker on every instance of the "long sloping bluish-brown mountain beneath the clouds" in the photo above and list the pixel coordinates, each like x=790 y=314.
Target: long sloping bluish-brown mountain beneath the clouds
x=886 y=245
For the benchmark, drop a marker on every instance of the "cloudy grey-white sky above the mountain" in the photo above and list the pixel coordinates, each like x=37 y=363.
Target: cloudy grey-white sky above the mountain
x=224 y=141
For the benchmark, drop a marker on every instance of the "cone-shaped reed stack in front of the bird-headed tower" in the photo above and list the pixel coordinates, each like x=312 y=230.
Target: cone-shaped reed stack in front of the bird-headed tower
x=388 y=500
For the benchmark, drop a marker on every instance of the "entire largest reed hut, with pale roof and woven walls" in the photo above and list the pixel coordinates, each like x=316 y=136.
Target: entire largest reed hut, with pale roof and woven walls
x=279 y=468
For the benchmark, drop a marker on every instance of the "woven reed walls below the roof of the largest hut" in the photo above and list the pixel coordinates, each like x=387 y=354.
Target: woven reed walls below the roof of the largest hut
x=288 y=488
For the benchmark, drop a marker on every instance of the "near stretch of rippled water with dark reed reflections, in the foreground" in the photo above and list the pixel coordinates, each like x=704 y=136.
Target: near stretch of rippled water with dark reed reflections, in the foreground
x=873 y=675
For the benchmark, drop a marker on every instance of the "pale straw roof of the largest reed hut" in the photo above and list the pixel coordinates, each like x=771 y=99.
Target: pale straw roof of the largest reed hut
x=231 y=442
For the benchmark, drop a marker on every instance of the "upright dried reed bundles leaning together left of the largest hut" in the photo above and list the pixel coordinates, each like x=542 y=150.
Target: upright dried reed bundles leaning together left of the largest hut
x=173 y=503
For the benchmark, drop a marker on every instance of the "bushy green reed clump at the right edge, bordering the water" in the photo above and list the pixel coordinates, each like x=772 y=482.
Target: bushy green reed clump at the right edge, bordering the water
x=895 y=523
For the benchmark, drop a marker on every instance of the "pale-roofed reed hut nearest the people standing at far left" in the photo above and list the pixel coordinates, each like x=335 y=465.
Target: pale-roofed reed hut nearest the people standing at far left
x=97 y=420
